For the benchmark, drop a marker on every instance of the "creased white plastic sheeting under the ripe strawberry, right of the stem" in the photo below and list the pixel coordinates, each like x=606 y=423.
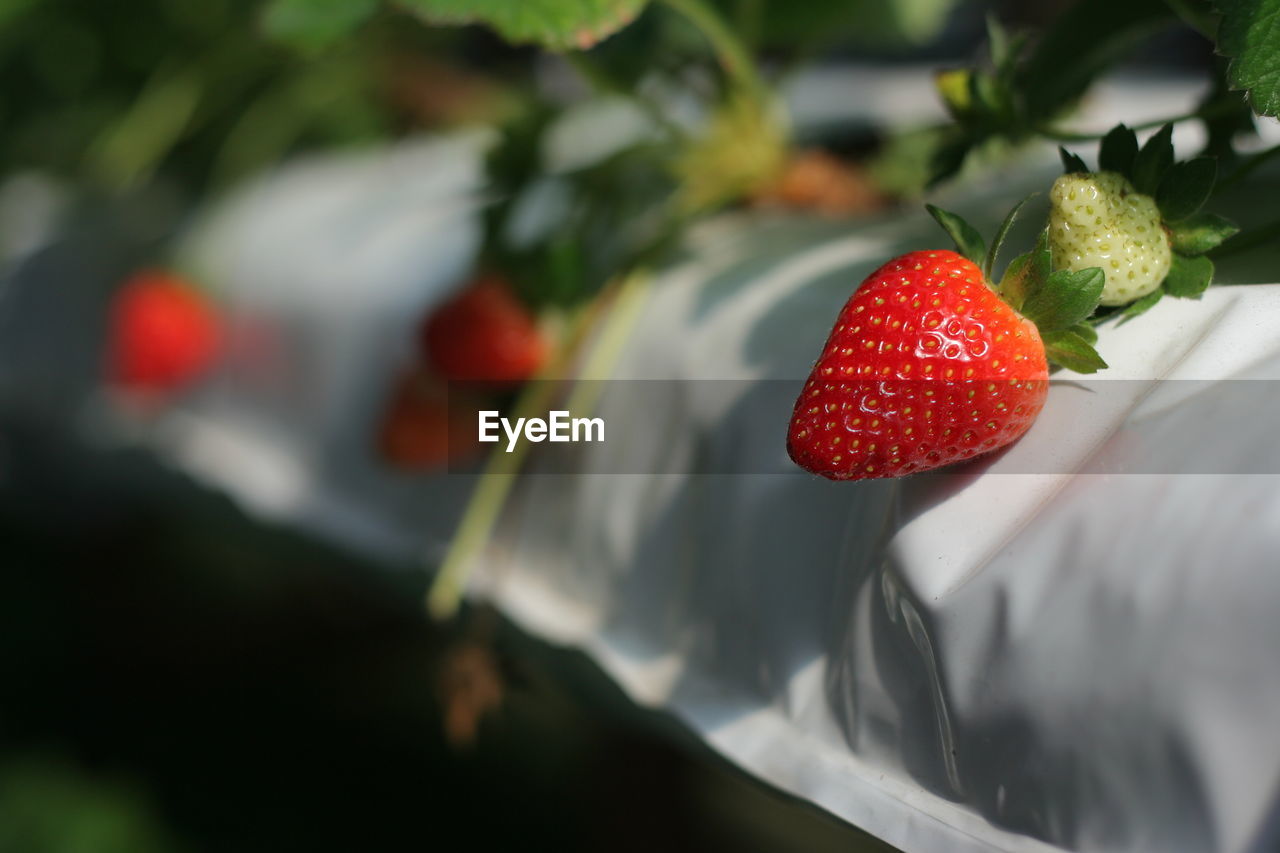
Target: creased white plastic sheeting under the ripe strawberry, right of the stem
x=953 y=663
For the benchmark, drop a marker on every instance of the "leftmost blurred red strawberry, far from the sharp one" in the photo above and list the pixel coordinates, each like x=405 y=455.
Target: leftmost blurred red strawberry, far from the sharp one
x=163 y=334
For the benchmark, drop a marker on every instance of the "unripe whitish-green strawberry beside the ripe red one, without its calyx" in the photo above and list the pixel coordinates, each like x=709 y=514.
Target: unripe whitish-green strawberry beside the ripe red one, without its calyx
x=1099 y=220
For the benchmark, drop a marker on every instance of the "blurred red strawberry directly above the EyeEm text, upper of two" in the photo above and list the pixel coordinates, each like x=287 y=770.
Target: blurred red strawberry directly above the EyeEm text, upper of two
x=484 y=334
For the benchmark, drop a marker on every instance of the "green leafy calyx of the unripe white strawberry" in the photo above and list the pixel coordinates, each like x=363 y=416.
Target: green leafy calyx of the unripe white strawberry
x=1181 y=190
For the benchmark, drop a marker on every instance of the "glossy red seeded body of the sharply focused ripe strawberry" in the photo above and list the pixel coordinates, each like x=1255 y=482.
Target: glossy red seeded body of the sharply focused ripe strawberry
x=926 y=367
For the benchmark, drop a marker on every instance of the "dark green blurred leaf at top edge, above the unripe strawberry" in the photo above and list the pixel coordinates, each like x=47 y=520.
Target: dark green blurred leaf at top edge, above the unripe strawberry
x=1086 y=40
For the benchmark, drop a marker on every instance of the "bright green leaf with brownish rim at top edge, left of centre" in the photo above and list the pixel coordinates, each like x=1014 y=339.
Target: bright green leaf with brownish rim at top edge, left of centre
x=559 y=25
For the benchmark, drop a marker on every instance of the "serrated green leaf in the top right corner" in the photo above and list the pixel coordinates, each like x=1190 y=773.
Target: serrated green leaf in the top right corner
x=1250 y=35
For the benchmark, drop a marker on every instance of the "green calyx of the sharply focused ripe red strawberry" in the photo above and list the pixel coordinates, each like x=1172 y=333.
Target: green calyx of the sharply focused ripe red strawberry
x=1059 y=303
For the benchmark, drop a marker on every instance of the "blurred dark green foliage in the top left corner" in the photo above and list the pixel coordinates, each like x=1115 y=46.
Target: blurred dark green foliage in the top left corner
x=111 y=95
